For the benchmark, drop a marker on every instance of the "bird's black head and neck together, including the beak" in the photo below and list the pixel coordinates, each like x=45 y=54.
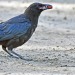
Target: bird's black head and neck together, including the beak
x=35 y=9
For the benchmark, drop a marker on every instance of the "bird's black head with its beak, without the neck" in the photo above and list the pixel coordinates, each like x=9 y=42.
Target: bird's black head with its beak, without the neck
x=37 y=8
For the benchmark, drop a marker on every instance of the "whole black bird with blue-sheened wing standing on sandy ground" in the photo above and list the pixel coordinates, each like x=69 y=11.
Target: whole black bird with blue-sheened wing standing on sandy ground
x=17 y=30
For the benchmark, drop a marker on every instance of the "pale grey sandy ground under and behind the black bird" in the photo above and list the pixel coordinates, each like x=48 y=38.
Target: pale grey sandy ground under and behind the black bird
x=51 y=48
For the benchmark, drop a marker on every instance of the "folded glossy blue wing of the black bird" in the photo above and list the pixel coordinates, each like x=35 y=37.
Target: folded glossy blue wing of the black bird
x=14 y=27
